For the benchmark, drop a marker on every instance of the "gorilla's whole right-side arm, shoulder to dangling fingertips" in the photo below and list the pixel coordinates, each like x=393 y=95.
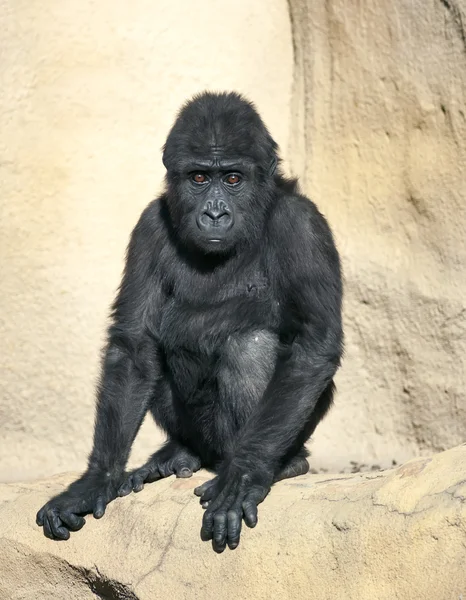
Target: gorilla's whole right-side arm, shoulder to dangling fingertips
x=311 y=284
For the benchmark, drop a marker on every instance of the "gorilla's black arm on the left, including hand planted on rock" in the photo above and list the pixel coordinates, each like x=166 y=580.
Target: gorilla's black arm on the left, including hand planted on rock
x=129 y=370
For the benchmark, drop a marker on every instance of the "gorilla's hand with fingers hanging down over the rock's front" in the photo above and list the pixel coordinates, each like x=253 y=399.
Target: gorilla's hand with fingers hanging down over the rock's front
x=234 y=494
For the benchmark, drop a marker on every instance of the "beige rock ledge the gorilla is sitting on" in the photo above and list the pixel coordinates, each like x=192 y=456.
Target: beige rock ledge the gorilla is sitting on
x=378 y=536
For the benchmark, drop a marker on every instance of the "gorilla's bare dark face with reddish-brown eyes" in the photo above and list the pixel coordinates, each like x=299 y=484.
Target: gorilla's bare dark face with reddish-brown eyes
x=215 y=206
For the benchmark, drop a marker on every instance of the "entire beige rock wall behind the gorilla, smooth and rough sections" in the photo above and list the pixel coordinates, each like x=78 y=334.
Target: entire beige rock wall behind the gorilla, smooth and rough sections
x=367 y=101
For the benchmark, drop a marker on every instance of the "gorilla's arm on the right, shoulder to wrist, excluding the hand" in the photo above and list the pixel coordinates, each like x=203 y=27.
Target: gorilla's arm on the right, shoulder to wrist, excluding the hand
x=307 y=364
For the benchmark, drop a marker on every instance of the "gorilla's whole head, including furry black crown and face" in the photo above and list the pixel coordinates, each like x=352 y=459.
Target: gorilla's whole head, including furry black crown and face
x=220 y=162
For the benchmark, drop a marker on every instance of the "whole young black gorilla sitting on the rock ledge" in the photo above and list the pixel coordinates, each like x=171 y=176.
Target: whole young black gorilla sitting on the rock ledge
x=227 y=327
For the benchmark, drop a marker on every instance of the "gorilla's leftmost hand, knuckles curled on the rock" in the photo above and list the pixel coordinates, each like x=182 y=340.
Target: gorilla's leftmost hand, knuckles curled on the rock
x=64 y=513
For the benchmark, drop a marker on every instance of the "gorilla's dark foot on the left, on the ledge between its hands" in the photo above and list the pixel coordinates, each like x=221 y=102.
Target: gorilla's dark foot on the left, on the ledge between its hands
x=171 y=459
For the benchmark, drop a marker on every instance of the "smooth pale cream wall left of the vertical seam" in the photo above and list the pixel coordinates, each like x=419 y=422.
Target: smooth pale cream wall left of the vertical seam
x=88 y=93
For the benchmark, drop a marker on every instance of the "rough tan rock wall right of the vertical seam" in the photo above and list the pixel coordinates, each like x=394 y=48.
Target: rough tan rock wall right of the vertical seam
x=380 y=98
